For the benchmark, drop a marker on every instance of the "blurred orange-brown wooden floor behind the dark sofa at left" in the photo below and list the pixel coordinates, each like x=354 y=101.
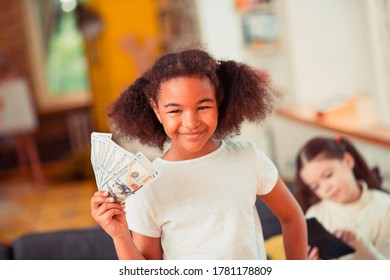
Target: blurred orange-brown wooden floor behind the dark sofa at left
x=26 y=207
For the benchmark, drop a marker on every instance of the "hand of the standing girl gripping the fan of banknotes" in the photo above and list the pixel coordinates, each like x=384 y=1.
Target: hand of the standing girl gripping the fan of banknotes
x=109 y=214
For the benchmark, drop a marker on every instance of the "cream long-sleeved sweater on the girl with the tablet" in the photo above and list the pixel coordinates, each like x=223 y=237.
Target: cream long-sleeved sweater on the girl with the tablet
x=368 y=218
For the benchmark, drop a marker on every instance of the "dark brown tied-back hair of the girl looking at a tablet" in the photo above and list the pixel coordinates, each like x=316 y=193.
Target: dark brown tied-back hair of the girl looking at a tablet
x=330 y=148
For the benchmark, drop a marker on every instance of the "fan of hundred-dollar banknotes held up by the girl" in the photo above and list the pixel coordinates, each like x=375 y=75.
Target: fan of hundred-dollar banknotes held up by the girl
x=117 y=170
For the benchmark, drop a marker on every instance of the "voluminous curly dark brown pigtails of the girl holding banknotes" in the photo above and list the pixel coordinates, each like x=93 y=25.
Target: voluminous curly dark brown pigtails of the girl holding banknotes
x=242 y=93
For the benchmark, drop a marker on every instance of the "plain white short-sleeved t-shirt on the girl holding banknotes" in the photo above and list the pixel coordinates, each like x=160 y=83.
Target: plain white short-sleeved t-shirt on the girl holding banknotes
x=204 y=208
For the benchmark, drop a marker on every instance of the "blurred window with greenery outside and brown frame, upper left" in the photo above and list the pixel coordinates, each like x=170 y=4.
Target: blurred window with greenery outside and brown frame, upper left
x=60 y=56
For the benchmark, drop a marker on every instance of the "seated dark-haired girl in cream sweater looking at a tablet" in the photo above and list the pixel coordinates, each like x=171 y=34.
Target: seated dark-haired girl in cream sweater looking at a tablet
x=335 y=185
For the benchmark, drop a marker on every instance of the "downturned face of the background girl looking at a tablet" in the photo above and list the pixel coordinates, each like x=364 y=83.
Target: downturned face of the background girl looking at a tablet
x=331 y=179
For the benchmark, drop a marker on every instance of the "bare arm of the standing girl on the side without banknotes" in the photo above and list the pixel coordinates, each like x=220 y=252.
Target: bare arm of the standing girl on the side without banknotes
x=283 y=204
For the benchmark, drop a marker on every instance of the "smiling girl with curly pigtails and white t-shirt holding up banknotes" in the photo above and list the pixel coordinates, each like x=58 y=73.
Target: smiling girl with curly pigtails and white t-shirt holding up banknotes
x=202 y=205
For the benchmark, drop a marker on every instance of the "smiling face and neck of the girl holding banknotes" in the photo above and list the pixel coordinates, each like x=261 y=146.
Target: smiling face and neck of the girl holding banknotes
x=188 y=110
